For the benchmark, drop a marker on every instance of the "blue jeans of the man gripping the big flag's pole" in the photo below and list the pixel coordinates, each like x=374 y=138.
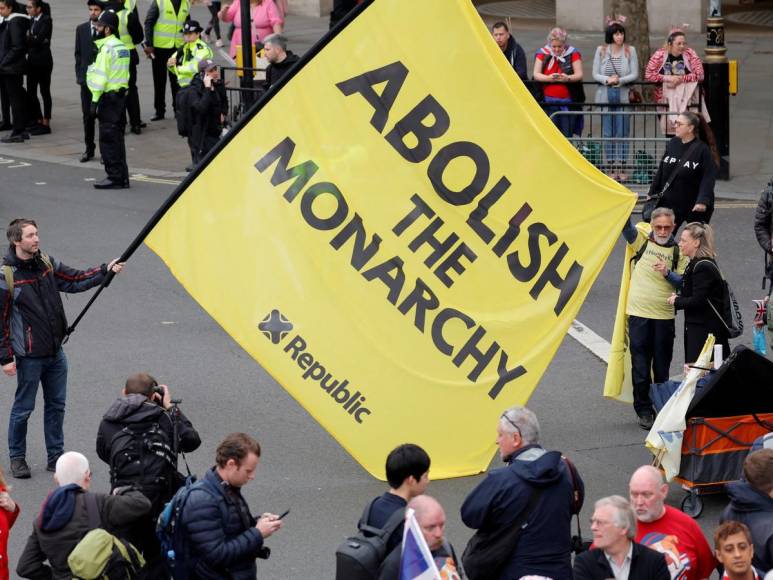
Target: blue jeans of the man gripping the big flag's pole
x=51 y=372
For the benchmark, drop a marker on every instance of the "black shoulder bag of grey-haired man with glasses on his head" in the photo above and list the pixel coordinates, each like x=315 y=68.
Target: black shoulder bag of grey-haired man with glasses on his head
x=487 y=552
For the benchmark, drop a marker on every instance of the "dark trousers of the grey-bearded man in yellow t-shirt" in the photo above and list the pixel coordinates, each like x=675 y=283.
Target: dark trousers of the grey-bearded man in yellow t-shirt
x=652 y=348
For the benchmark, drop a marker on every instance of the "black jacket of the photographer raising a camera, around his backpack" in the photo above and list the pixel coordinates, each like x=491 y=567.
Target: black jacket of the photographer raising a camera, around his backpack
x=137 y=409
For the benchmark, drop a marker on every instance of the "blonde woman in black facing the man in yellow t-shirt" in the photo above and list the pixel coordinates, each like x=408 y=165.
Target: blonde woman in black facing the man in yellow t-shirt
x=702 y=292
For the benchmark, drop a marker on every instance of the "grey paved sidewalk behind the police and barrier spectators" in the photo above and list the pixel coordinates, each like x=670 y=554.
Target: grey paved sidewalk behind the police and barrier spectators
x=160 y=152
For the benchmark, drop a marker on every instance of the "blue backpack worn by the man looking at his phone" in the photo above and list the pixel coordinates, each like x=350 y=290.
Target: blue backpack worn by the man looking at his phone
x=170 y=532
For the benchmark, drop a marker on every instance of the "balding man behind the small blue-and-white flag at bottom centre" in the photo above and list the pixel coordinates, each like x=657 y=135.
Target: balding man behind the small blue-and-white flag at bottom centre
x=425 y=524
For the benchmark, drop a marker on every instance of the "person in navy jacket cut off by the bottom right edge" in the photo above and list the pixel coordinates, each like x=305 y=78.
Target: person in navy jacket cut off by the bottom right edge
x=751 y=503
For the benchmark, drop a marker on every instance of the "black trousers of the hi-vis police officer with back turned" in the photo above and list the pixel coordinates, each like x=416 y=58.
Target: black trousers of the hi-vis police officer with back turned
x=112 y=121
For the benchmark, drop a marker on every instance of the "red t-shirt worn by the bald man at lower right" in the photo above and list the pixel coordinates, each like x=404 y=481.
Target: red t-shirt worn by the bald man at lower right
x=676 y=535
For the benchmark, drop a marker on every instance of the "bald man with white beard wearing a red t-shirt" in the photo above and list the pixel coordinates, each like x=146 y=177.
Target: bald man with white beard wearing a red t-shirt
x=668 y=530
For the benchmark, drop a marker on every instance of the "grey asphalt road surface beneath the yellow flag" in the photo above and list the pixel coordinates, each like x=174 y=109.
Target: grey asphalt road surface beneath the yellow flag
x=146 y=321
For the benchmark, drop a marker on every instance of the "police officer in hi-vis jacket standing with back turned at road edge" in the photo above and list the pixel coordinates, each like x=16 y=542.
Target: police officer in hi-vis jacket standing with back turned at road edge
x=108 y=80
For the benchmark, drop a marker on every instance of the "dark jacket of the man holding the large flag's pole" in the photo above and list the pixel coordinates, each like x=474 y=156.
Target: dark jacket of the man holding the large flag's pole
x=34 y=324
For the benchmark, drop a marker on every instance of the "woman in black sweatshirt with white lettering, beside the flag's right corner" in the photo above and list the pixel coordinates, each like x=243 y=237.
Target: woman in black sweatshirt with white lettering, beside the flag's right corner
x=690 y=192
